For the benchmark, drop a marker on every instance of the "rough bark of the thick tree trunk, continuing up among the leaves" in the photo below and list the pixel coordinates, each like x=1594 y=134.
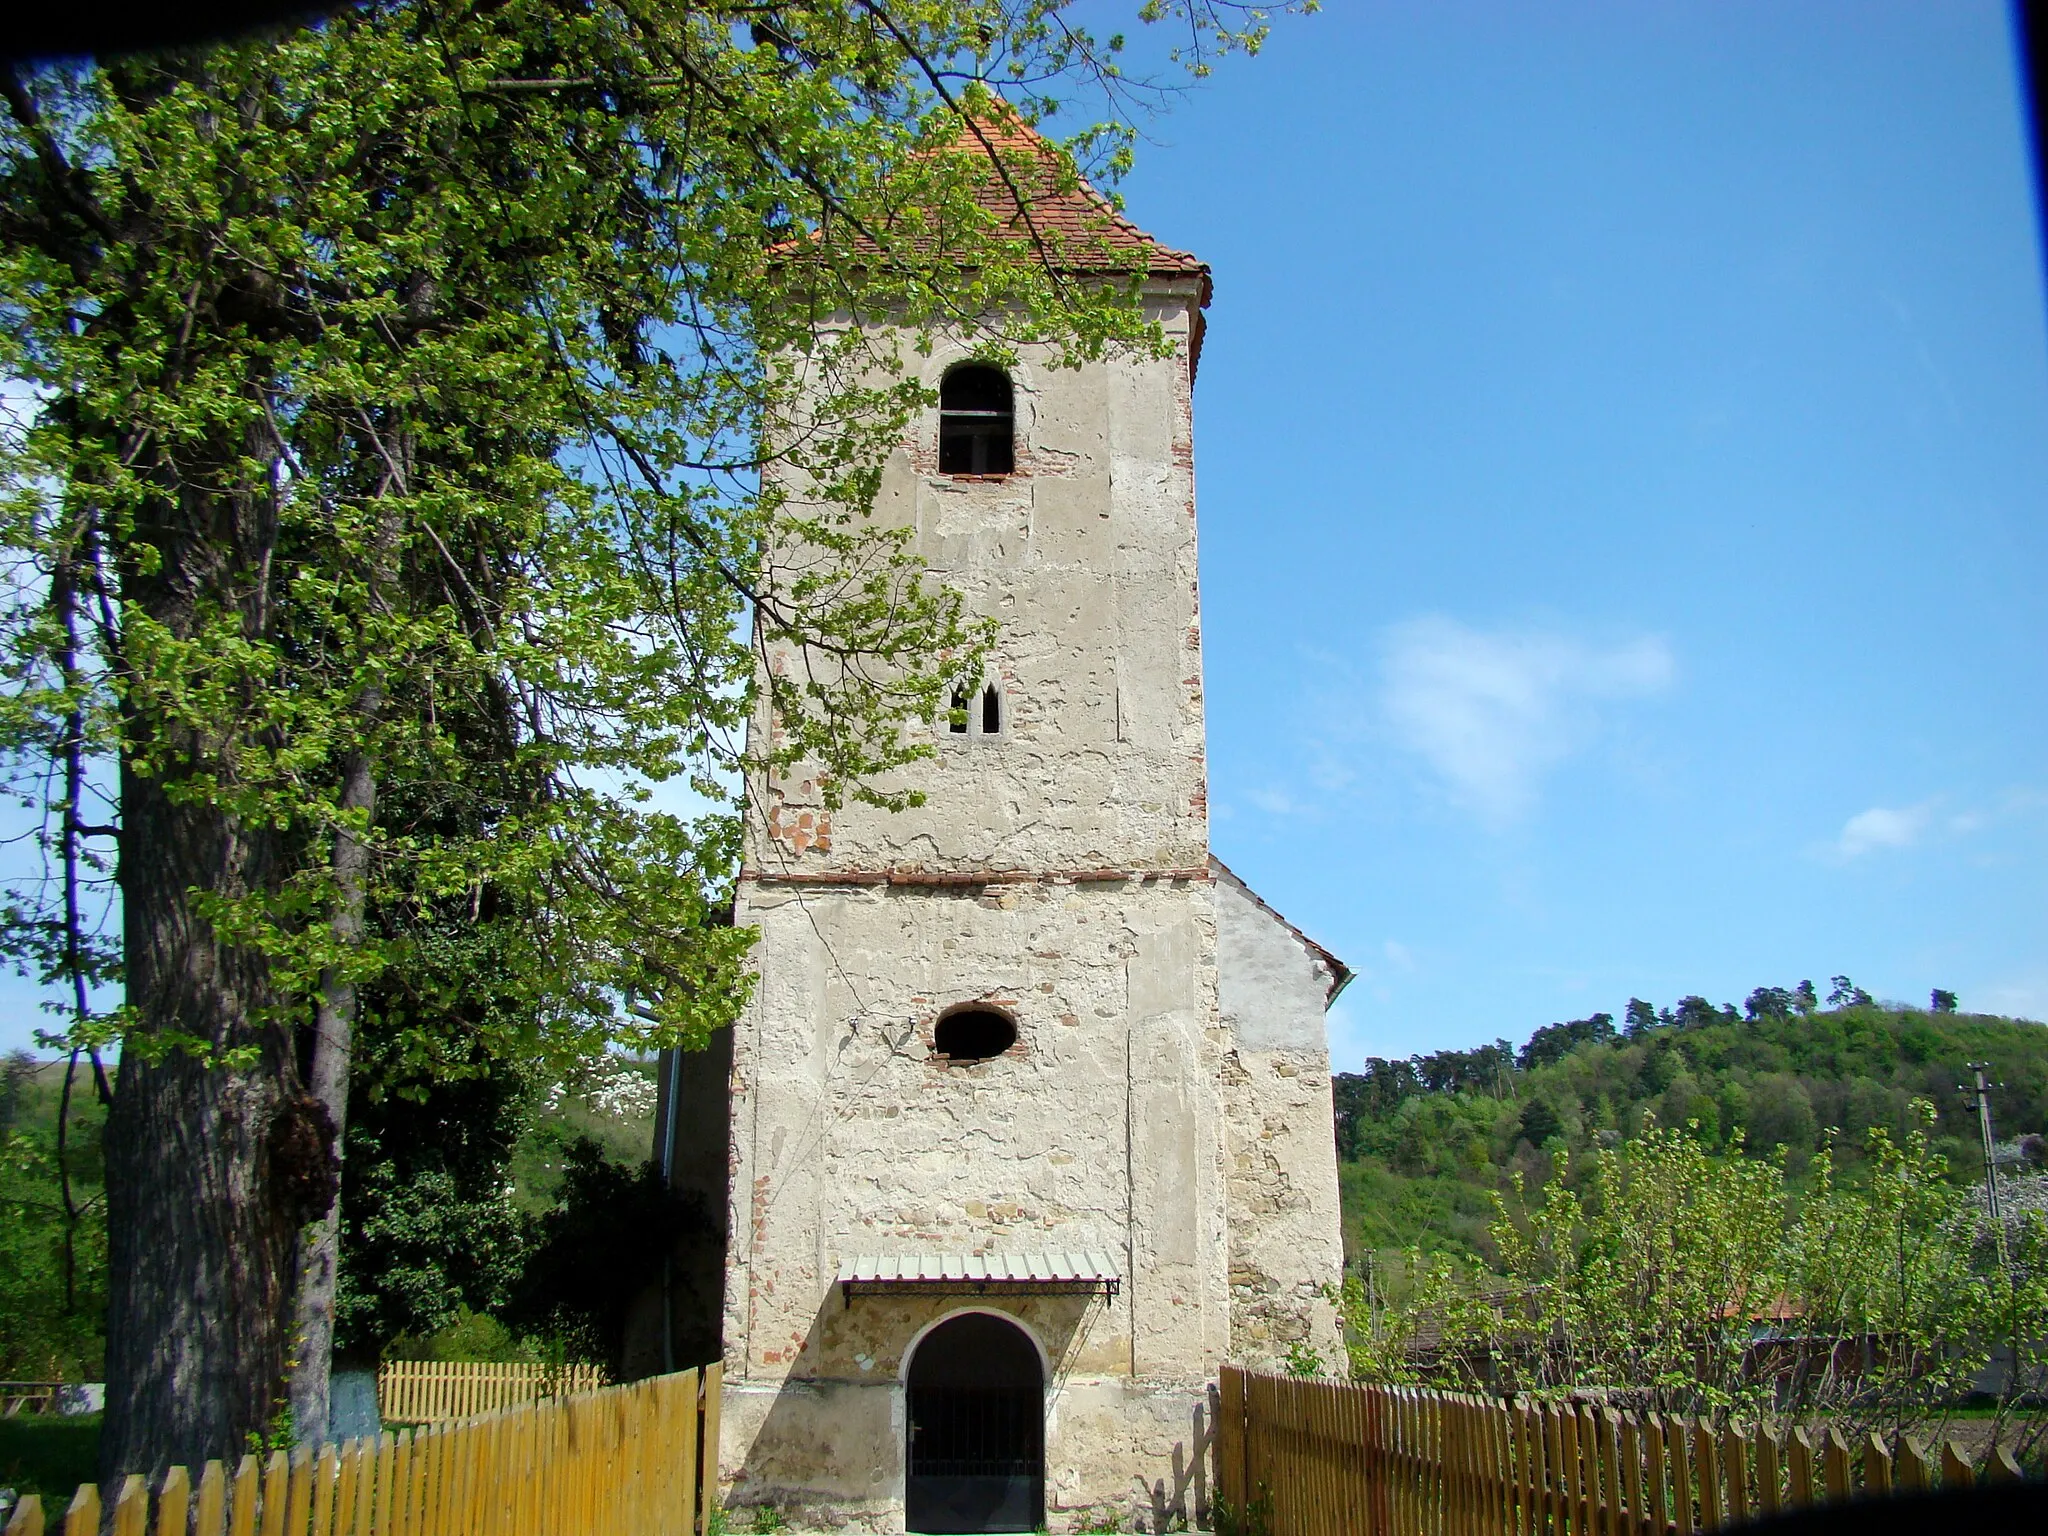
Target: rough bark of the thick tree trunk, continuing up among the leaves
x=216 y=1156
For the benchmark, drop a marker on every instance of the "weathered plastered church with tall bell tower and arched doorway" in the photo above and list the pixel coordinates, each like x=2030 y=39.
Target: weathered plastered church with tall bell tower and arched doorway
x=1029 y=1121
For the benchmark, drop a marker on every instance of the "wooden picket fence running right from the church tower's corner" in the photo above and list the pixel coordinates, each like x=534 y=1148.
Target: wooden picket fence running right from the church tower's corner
x=1334 y=1459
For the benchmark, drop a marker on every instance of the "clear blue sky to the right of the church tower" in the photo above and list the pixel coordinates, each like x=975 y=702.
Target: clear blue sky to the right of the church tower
x=1623 y=445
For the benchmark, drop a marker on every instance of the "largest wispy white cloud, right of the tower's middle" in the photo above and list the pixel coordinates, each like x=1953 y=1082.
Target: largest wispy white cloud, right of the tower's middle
x=1494 y=712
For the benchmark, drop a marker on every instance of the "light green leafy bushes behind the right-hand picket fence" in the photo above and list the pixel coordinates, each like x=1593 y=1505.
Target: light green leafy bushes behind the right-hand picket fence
x=1707 y=1285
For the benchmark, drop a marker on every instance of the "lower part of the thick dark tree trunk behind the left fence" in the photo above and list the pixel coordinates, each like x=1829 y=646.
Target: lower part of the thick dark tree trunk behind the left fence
x=200 y=1242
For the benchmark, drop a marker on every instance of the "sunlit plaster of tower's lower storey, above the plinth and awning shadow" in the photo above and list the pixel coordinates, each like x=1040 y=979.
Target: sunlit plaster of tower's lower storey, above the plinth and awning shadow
x=1097 y=1132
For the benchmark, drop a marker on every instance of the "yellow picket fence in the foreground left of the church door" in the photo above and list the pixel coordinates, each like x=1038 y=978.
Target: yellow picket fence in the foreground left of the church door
x=638 y=1459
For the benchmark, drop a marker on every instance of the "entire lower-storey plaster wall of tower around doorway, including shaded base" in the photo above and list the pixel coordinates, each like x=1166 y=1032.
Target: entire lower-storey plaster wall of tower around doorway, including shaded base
x=1101 y=1129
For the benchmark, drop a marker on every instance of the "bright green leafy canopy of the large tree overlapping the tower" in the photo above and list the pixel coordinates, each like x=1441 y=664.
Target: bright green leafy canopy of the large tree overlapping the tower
x=429 y=388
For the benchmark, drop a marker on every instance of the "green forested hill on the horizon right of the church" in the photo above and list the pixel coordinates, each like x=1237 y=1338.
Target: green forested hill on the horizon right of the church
x=1426 y=1142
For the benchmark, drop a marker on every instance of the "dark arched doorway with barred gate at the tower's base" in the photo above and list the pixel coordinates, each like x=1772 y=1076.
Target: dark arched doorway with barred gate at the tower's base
x=976 y=1428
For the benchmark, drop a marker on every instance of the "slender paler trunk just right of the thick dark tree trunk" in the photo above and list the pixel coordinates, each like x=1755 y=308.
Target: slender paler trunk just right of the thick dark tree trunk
x=333 y=1048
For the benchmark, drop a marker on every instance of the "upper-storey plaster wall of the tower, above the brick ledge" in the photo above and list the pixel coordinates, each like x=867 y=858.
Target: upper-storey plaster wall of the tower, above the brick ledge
x=1086 y=558
